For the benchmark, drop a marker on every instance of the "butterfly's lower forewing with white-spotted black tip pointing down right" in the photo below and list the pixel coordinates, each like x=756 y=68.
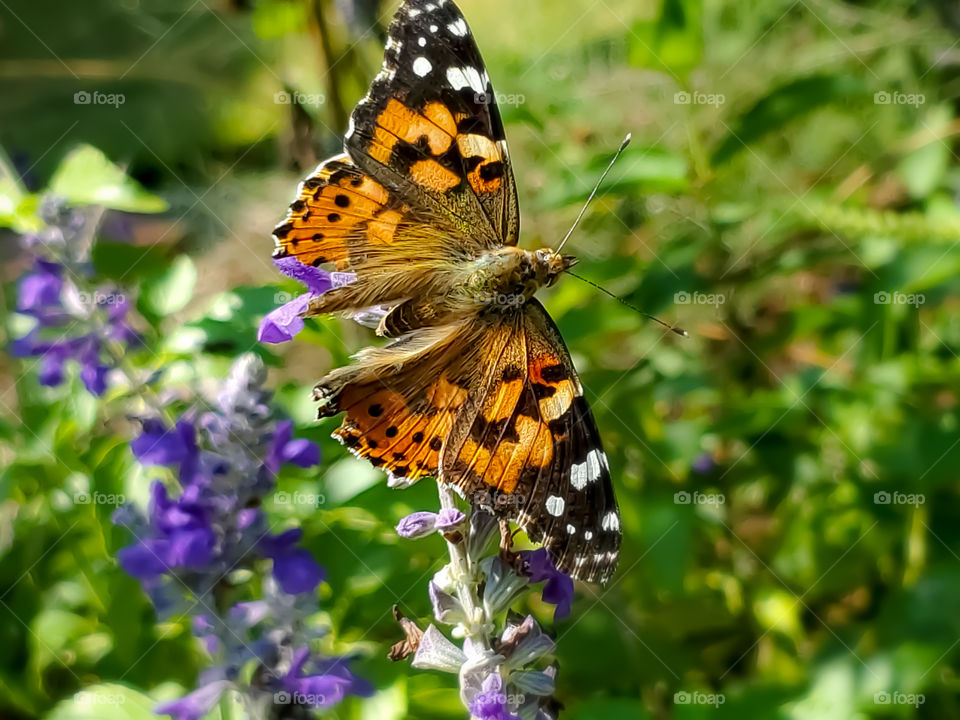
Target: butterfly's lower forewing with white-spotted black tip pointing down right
x=532 y=446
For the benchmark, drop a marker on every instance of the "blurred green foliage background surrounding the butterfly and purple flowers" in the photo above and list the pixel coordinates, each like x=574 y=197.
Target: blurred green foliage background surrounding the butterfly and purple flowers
x=790 y=199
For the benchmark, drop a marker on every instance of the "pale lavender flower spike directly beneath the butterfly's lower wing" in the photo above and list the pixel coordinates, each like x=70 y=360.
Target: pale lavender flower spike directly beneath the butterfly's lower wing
x=500 y=665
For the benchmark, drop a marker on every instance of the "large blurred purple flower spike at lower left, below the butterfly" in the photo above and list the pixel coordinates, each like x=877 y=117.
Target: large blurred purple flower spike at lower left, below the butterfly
x=198 y=552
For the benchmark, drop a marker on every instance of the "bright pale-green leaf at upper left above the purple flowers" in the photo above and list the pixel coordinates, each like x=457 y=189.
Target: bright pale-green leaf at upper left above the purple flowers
x=87 y=177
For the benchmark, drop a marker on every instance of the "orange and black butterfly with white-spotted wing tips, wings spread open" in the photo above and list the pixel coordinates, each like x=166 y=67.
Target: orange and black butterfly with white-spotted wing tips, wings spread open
x=476 y=387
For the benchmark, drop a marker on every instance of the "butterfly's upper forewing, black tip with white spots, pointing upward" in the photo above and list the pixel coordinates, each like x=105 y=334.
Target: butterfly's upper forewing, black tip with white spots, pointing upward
x=429 y=129
